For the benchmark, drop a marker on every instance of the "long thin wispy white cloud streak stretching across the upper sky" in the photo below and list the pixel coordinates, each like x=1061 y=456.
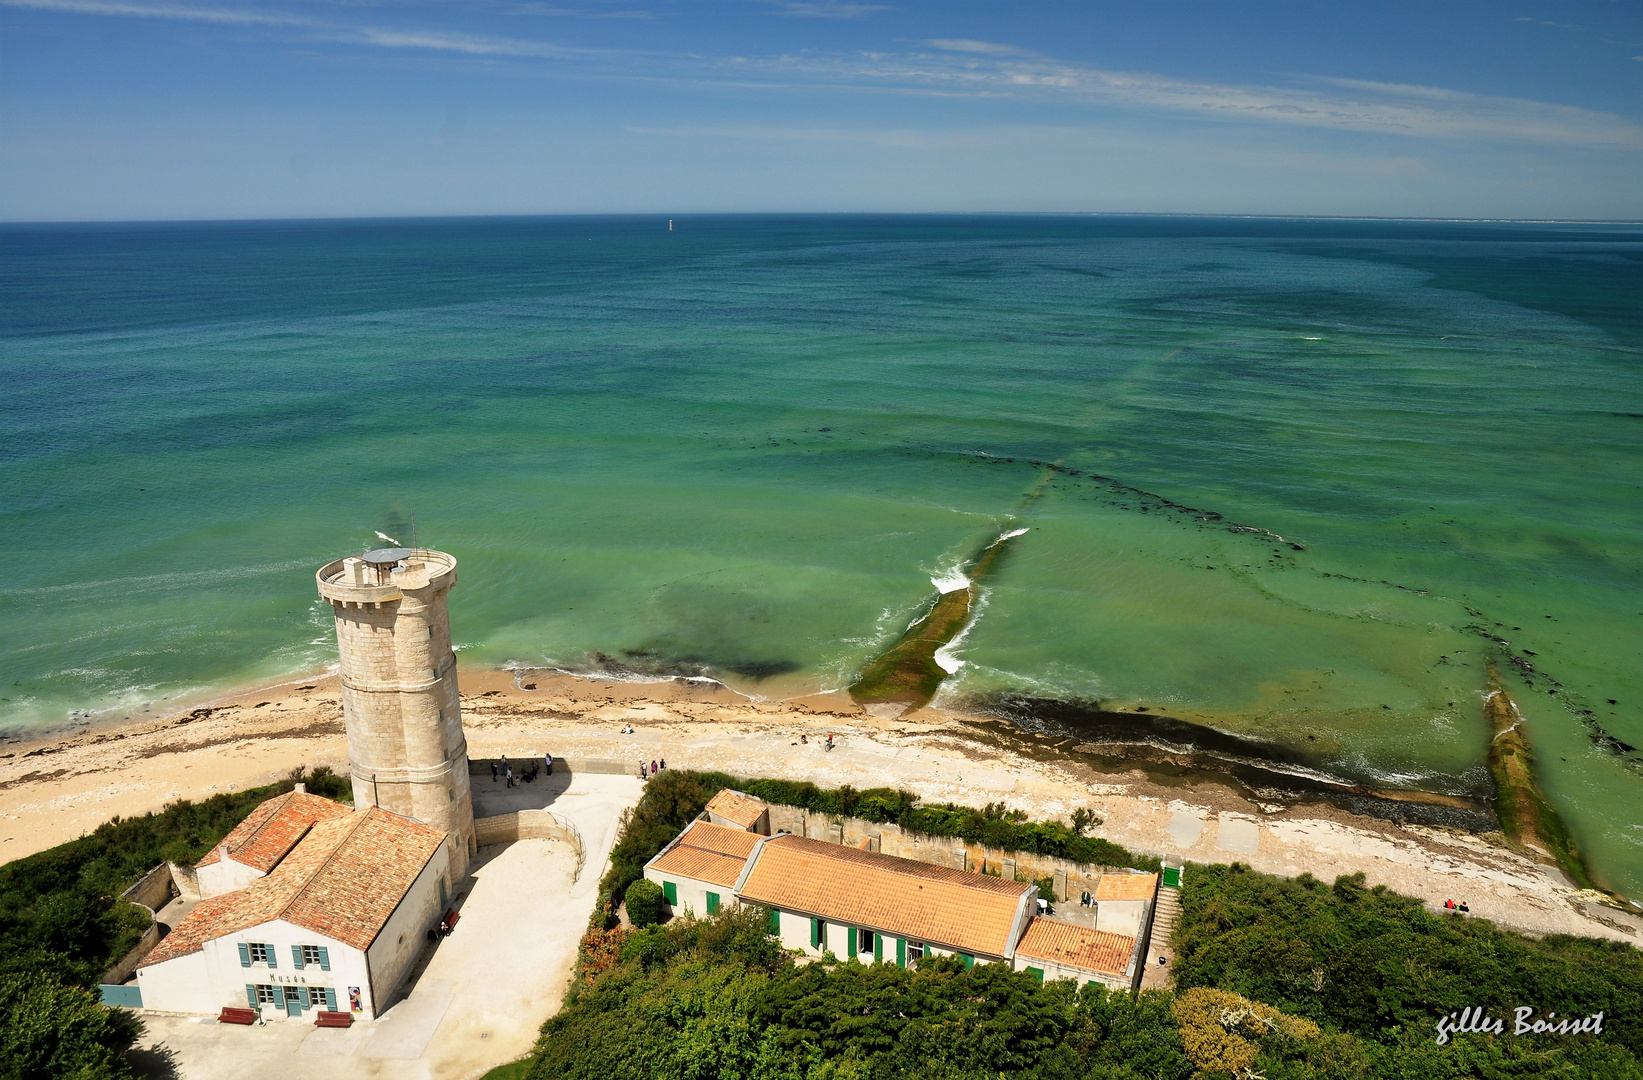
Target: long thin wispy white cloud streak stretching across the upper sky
x=969 y=68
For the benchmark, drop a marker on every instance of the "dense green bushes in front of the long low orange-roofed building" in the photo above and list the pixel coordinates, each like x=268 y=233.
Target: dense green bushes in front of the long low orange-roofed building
x=719 y=999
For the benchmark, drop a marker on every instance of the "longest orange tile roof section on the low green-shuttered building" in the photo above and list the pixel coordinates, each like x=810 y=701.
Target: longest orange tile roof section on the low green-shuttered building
x=952 y=908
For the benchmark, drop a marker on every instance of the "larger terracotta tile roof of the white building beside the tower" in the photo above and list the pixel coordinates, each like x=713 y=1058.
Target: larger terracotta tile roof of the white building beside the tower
x=344 y=879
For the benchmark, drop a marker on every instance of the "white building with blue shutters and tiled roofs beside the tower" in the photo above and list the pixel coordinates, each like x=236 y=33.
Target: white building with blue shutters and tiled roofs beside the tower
x=336 y=910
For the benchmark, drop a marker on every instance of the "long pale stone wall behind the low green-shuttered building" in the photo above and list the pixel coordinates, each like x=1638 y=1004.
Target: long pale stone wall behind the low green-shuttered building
x=1070 y=879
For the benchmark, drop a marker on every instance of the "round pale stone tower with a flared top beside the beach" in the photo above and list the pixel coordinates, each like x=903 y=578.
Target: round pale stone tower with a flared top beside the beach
x=400 y=704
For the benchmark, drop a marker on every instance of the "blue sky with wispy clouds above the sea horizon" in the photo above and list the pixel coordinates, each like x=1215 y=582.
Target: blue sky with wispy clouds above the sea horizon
x=195 y=109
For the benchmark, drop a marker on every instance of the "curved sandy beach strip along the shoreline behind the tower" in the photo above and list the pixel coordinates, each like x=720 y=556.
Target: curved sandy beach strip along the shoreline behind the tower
x=63 y=787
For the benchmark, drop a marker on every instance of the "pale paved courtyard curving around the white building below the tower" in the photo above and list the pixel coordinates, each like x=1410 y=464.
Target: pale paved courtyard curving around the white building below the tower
x=482 y=994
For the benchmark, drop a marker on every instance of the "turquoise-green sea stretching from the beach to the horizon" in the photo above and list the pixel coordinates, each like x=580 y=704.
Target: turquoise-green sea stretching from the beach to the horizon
x=1299 y=481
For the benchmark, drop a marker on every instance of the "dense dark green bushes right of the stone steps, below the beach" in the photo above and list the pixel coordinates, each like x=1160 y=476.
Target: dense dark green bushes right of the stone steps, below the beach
x=1381 y=966
